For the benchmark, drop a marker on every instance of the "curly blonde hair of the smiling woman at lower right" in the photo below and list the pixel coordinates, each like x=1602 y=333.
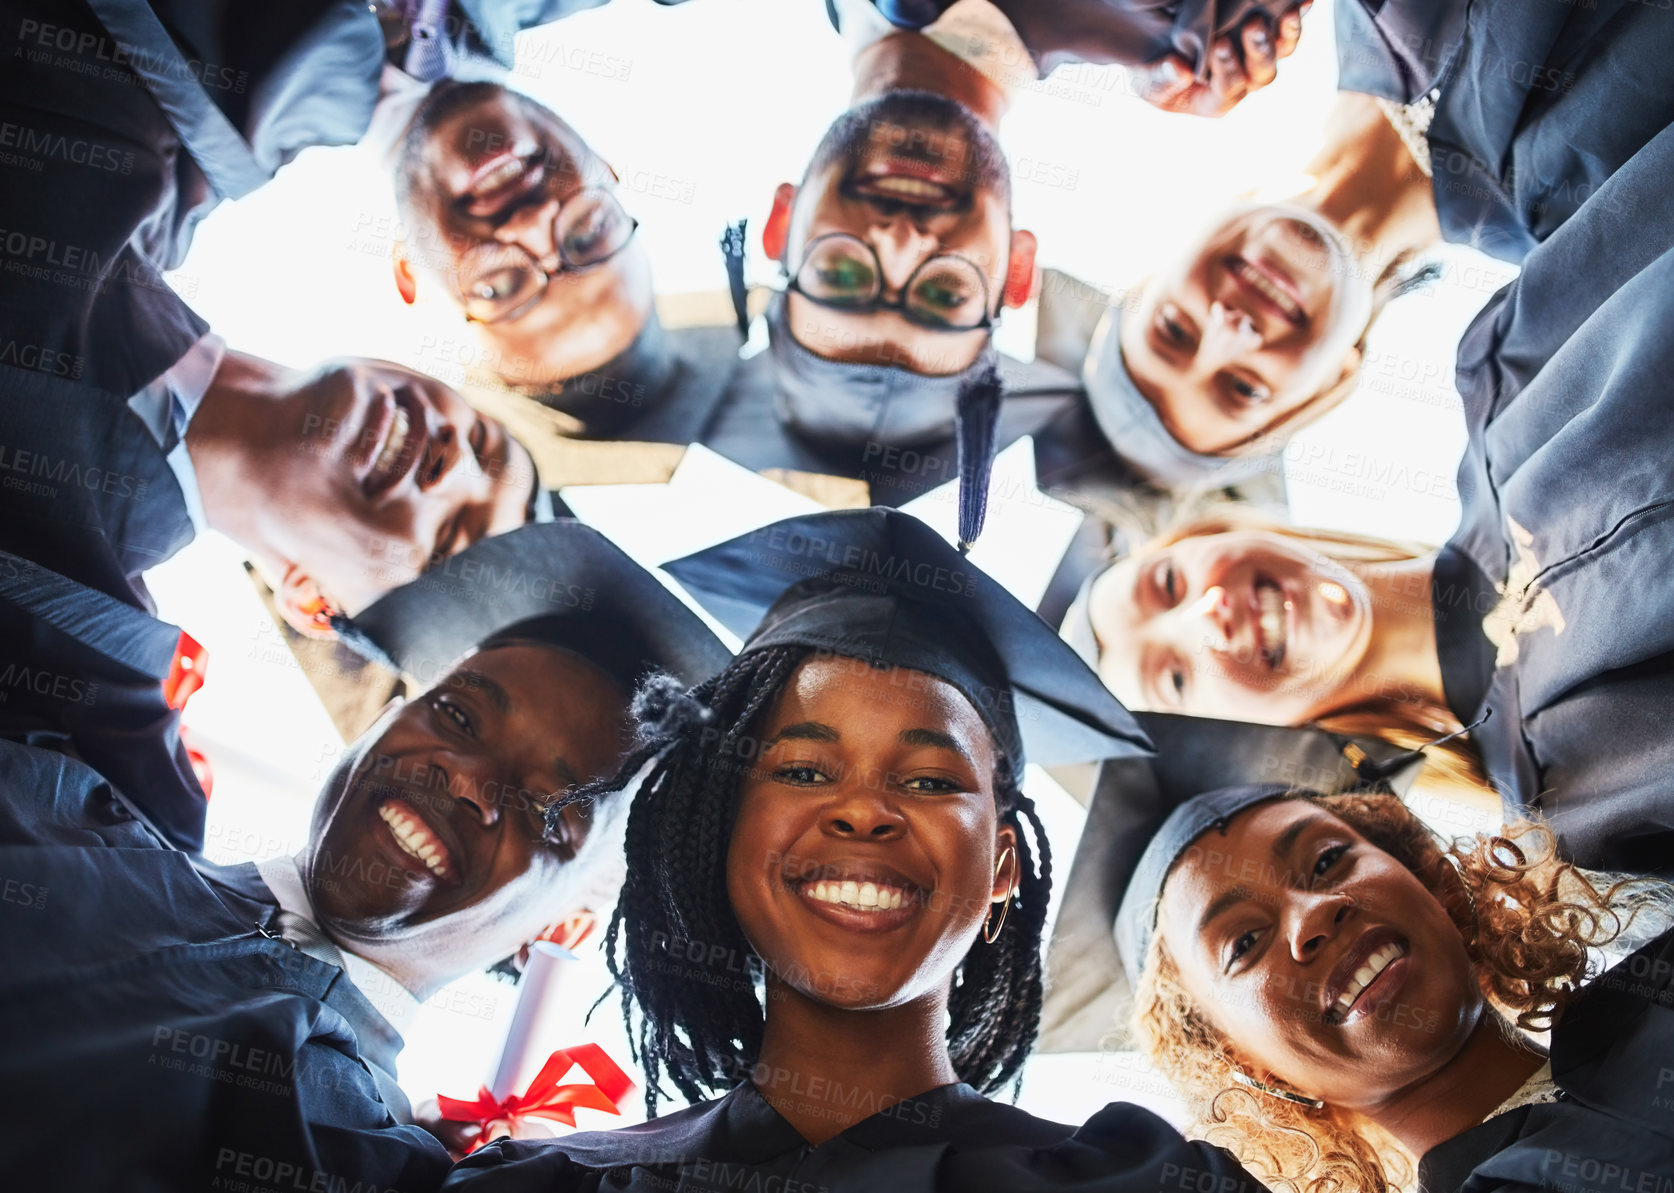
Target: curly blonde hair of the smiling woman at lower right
x=1529 y=923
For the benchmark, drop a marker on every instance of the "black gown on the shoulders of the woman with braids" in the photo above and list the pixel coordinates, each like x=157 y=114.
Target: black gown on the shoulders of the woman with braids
x=950 y=1140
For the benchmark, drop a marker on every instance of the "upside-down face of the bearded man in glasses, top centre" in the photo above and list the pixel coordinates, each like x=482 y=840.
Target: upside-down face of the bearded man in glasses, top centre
x=913 y=177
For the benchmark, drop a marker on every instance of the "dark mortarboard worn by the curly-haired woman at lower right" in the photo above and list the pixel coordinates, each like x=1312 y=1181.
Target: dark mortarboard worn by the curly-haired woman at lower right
x=1143 y=816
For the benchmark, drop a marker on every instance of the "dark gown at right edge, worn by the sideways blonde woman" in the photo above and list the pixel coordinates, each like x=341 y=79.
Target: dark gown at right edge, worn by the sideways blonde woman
x=1568 y=491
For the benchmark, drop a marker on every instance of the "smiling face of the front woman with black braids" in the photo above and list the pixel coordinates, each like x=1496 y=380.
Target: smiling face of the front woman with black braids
x=866 y=839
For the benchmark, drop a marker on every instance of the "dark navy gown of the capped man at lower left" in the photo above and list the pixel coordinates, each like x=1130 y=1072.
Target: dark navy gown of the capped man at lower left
x=157 y=1033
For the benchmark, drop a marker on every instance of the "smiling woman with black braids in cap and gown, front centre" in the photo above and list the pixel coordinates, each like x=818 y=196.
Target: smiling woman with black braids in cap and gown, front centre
x=836 y=891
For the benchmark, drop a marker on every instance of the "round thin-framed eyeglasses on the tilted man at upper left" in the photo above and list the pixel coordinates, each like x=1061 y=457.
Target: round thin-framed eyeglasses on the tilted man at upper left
x=501 y=282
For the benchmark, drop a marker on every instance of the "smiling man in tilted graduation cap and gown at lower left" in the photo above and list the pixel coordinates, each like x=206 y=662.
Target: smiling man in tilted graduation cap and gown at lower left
x=222 y=1023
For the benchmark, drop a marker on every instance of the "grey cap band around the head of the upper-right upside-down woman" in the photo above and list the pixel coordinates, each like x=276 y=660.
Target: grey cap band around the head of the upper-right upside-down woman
x=1136 y=431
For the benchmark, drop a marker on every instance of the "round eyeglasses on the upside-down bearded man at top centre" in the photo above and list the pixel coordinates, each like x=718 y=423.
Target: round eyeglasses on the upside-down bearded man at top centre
x=945 y=294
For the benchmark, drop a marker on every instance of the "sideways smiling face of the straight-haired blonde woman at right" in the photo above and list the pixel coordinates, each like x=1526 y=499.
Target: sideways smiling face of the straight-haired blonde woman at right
x=1243 y=627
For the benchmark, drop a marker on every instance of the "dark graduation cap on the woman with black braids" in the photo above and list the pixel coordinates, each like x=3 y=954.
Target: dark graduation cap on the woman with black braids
x=881 y=586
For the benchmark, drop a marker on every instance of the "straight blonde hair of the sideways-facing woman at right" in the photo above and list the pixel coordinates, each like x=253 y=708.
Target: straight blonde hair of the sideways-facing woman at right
x=1454 y=769
